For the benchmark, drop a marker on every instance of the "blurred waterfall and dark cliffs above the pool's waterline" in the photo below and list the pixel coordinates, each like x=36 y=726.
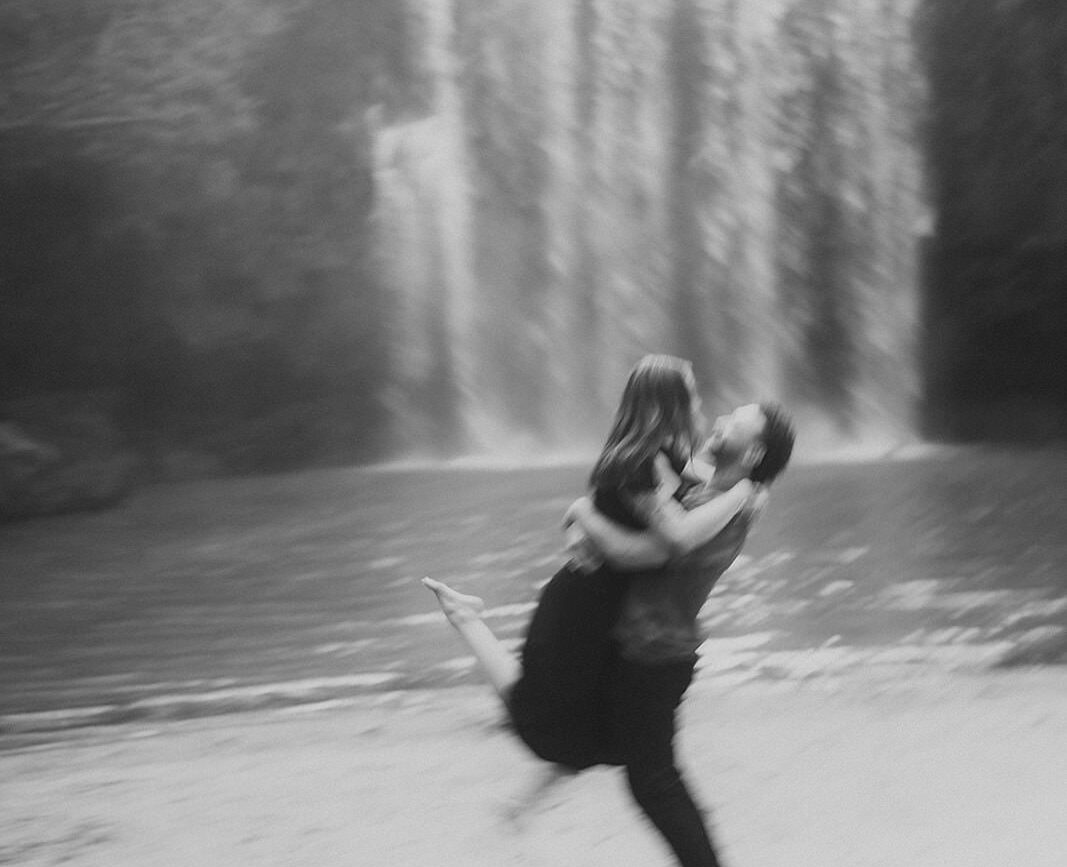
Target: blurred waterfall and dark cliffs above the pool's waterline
x=247 y=236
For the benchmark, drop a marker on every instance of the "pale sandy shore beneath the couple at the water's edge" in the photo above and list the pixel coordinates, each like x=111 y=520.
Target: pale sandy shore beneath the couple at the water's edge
x=953 y=772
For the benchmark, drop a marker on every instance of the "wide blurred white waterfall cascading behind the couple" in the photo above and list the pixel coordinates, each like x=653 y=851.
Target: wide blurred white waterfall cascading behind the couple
x=583 y=182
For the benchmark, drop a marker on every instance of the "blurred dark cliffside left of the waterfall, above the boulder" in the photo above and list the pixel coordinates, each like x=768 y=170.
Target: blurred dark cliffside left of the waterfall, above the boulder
x=212 y=162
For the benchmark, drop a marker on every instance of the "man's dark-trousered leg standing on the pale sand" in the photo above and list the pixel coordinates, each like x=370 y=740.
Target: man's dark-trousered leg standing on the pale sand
x=645 y=699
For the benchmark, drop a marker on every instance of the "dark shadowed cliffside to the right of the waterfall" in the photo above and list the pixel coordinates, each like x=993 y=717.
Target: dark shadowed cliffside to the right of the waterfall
x=996 y=134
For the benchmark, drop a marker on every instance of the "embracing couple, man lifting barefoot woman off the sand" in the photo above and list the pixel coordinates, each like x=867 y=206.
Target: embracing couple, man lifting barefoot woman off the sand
x=613 y=645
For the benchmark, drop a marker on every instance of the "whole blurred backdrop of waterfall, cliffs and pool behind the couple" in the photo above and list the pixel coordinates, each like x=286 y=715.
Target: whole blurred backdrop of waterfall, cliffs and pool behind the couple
x=252 y=252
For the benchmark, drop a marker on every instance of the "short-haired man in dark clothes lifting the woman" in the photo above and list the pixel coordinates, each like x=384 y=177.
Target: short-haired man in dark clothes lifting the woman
x=658 y=634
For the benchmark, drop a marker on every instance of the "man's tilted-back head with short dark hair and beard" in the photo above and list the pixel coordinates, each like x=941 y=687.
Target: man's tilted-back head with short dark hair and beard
x=754 y=441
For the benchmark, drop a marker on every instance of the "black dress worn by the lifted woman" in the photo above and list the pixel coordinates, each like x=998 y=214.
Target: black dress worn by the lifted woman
x=559 y=705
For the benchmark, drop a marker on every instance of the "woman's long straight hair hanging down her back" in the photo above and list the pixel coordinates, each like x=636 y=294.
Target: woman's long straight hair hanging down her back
x=655 y=415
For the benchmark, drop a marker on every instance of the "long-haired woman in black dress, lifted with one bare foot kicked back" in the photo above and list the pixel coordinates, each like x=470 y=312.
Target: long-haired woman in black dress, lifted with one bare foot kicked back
x=555 y=693
